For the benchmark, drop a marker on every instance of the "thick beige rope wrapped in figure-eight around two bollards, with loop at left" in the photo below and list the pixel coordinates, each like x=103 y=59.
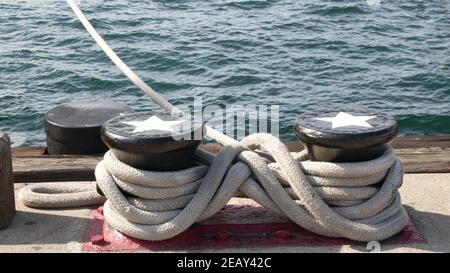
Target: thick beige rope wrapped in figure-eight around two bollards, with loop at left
x=358 y=200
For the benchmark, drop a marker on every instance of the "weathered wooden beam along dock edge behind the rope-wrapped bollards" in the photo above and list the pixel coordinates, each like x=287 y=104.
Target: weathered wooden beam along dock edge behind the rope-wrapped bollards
x=29 y=167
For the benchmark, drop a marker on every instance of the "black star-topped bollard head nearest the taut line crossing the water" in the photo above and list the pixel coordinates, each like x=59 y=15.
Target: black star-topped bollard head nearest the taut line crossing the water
x=153 y=141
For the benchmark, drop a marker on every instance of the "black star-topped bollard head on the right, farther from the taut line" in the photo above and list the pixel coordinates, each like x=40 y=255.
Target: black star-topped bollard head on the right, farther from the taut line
x=343 y=135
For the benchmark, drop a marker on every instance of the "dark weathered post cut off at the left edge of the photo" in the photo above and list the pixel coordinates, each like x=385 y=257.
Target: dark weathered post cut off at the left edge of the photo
x=7 y=202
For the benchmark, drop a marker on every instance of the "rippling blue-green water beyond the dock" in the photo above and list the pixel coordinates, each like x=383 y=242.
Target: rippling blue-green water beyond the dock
x=301 y=55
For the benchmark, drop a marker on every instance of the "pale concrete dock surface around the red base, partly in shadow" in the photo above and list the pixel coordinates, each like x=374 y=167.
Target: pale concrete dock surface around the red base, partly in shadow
x=425 y=196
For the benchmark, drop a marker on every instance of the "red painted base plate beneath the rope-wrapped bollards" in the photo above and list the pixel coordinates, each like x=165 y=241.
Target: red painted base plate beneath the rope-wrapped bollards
x=249 y=226
